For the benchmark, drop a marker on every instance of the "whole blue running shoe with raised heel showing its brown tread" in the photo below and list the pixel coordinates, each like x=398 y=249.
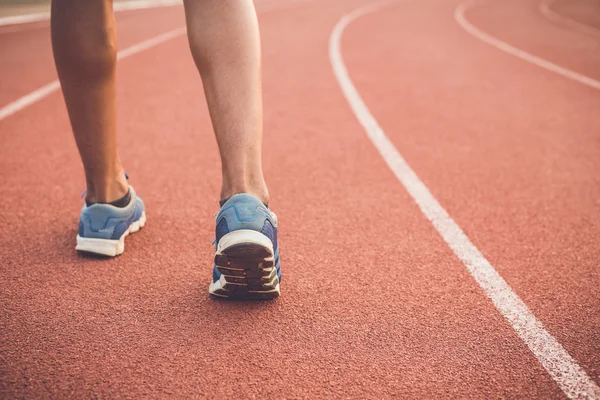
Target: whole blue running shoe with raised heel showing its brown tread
x=247 y=256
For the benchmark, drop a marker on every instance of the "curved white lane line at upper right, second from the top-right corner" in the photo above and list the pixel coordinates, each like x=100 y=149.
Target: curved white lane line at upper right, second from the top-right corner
x=459 y=15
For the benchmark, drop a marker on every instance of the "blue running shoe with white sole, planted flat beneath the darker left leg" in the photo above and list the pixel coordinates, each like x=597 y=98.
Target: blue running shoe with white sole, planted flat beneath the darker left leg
x=103 y=227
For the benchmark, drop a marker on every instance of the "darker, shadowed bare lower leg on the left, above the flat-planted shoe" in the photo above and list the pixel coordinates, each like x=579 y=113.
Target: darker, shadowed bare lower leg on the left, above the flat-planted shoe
x=85 y=54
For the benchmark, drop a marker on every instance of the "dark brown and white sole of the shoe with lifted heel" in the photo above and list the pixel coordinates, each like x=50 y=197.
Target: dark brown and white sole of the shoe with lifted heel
x=245 y=259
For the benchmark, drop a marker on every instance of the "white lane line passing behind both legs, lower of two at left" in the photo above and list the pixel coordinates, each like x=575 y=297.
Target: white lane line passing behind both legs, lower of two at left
x=53 y=86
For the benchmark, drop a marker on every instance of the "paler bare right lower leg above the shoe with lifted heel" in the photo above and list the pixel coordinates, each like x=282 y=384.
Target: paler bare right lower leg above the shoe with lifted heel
x=225 y=43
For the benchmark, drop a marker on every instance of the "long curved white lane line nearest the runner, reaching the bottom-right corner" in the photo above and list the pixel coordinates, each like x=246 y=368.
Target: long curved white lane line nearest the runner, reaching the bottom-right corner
x=571 y=378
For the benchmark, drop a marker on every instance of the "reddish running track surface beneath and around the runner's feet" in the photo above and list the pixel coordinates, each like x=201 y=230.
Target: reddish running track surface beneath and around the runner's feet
x=375 y=302
